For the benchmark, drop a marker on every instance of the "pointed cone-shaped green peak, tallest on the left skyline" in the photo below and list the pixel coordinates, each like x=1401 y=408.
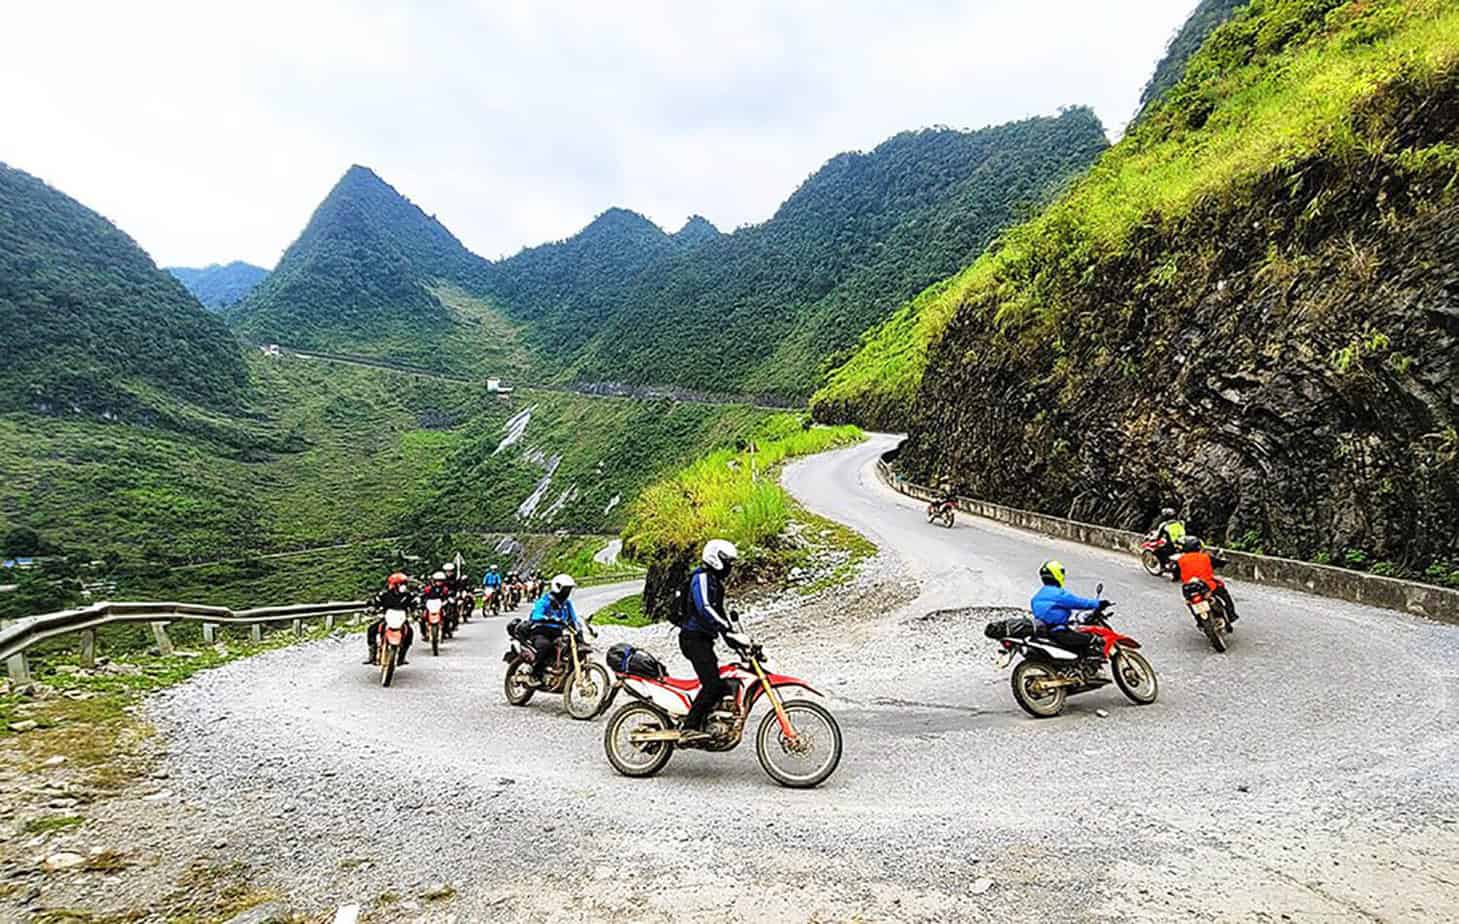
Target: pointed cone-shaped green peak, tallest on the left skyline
x=371 y=275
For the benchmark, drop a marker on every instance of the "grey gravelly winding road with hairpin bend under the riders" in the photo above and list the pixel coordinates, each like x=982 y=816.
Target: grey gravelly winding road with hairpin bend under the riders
x=1309 y=774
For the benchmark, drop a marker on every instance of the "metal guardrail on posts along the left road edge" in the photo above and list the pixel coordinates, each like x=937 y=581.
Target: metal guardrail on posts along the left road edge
x=20 y=636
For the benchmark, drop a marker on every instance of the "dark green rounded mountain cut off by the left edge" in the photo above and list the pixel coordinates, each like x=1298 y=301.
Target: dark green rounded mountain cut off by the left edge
x=91 y=325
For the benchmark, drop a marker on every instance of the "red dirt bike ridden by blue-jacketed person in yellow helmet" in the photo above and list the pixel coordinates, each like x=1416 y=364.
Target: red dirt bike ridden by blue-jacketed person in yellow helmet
x=1050 y=674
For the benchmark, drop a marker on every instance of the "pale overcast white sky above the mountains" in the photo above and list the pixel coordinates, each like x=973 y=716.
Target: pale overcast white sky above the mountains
x=209 y=132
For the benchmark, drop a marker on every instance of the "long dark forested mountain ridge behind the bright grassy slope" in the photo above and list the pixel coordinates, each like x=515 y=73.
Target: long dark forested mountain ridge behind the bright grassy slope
x=758 y=312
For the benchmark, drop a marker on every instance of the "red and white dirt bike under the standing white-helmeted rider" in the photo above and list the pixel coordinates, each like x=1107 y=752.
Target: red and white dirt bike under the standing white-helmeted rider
x=799 y=742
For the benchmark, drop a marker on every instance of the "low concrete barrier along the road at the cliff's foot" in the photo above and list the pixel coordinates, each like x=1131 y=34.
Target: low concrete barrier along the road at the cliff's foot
x=1308 y=577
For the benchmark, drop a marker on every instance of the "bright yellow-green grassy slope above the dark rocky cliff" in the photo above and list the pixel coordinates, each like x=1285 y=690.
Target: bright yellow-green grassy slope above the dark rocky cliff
x=1255 y=99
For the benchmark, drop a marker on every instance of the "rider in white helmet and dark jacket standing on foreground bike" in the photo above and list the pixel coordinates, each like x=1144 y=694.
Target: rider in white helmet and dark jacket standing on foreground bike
x=705 y=621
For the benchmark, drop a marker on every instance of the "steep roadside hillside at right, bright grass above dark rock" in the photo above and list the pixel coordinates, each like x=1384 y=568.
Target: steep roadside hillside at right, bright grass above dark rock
x=1250 y=309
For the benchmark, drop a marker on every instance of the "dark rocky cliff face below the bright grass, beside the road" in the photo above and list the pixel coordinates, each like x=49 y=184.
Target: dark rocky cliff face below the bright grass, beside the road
x=1283 y=366
